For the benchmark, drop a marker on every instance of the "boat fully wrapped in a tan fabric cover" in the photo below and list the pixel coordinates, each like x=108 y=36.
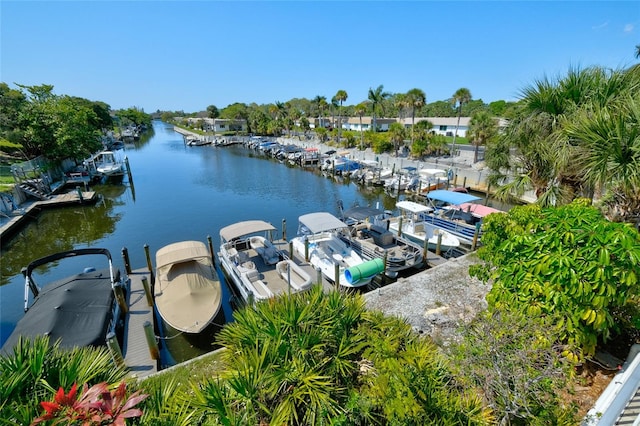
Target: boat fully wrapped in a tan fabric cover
x=187 y=290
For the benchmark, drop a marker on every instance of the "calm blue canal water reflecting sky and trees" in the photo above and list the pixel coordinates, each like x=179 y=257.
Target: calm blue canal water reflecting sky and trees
x=178 y=193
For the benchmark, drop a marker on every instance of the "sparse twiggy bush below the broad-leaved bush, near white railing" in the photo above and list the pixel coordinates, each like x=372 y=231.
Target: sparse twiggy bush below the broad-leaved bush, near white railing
x=513 y=360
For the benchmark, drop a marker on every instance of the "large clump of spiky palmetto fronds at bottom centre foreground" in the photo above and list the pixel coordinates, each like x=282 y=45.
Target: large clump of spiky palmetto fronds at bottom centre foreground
x=320 y=358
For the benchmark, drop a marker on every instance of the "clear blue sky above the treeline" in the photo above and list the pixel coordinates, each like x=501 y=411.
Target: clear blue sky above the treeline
x=186 y=55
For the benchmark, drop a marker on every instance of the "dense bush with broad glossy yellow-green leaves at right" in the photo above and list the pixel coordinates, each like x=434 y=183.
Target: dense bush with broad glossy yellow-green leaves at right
x=567 y=262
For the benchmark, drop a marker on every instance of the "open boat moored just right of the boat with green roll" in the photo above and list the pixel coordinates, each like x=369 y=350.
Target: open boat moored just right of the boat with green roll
x=370 y=237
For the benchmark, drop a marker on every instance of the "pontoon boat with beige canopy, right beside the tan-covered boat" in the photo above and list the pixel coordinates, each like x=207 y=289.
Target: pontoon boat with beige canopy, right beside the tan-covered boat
x=258 y=270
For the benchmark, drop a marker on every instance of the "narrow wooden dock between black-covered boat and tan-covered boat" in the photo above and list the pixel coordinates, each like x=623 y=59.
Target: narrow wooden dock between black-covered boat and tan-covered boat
x=137 y=355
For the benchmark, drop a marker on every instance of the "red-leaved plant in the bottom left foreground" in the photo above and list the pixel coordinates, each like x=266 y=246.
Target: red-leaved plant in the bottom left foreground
x=96 y=406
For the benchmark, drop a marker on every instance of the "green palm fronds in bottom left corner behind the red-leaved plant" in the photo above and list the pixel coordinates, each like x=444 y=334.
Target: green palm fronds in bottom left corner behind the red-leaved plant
x=35 y=370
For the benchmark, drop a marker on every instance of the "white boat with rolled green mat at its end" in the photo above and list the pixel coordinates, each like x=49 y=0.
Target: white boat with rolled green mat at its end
x=318 y=241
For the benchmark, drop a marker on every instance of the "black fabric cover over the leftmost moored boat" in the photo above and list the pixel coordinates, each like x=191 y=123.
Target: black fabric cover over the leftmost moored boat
x=77 y=309
